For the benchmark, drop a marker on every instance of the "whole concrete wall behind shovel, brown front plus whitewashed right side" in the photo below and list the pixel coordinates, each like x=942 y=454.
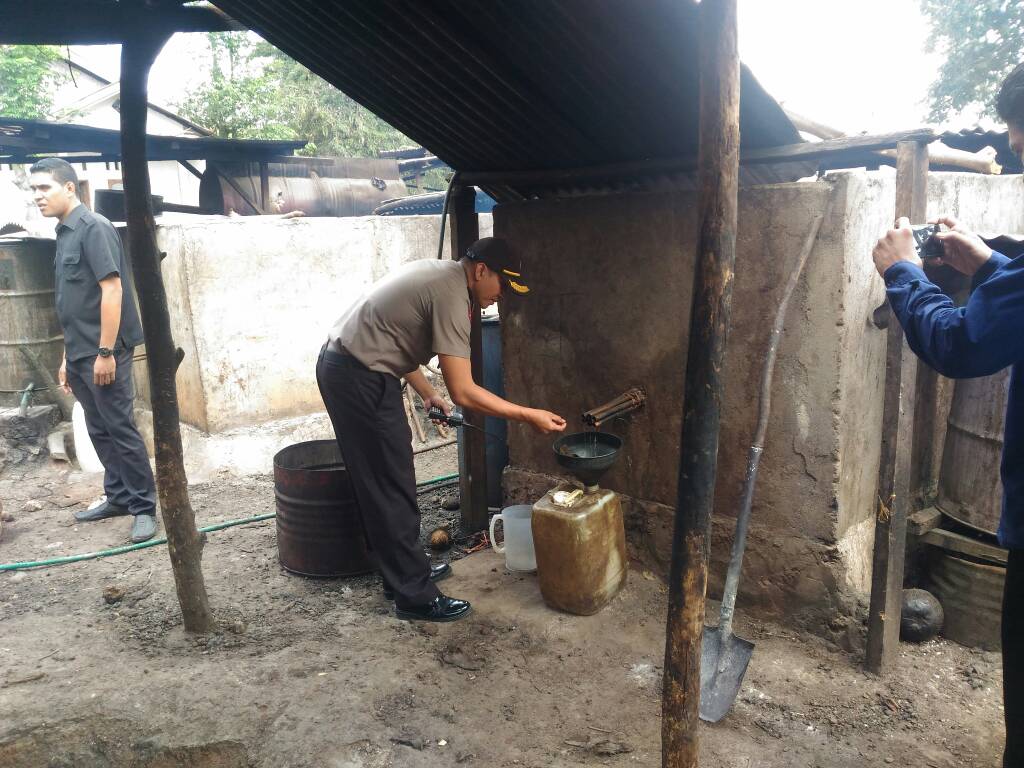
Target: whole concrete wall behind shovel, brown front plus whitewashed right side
x=611 y=310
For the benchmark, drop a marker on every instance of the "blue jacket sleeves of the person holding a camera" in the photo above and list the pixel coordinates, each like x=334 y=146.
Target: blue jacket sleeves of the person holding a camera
x=978 y=339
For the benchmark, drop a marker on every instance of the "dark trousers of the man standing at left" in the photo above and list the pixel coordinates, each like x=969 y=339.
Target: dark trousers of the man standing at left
x=129 y=478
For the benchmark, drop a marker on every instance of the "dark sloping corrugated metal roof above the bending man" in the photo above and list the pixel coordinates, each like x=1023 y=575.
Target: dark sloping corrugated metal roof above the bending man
x=518 y=84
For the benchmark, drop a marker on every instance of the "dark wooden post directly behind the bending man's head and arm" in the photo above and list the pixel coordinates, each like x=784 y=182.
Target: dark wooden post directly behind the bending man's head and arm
x=474 y=483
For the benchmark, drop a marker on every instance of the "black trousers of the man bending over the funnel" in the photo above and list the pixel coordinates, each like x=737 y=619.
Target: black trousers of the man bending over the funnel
x=369 y=418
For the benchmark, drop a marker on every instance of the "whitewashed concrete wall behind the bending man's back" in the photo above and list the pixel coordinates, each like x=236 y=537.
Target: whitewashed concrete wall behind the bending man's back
x=251 y=301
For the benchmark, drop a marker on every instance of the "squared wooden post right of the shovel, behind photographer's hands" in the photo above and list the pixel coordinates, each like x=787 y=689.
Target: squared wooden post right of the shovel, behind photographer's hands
x=898 y=436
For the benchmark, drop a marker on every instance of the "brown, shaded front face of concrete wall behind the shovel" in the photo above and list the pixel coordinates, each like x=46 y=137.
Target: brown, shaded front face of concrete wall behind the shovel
x=612 y=312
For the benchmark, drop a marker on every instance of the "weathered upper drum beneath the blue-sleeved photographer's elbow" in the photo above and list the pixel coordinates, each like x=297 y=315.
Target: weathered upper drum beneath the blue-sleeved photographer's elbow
x=970 y=490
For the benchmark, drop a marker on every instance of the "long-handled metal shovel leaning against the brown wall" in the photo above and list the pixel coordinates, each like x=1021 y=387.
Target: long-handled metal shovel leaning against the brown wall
x=723 y=656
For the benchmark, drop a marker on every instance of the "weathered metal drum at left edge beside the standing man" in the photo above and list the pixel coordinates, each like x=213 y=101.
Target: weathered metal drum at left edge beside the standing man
x=28 y=314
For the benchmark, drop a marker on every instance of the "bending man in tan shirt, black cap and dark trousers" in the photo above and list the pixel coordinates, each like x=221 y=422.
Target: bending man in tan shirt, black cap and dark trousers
x=421 y=311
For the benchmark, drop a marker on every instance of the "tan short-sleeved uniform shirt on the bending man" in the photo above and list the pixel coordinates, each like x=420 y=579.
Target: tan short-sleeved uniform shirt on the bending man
x=420 y=311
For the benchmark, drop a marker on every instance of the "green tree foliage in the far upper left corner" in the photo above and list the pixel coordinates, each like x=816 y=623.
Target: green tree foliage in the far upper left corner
x=27 y=80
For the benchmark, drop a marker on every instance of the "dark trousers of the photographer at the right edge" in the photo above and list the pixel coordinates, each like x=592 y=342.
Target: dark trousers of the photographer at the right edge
x=1013 y=660
